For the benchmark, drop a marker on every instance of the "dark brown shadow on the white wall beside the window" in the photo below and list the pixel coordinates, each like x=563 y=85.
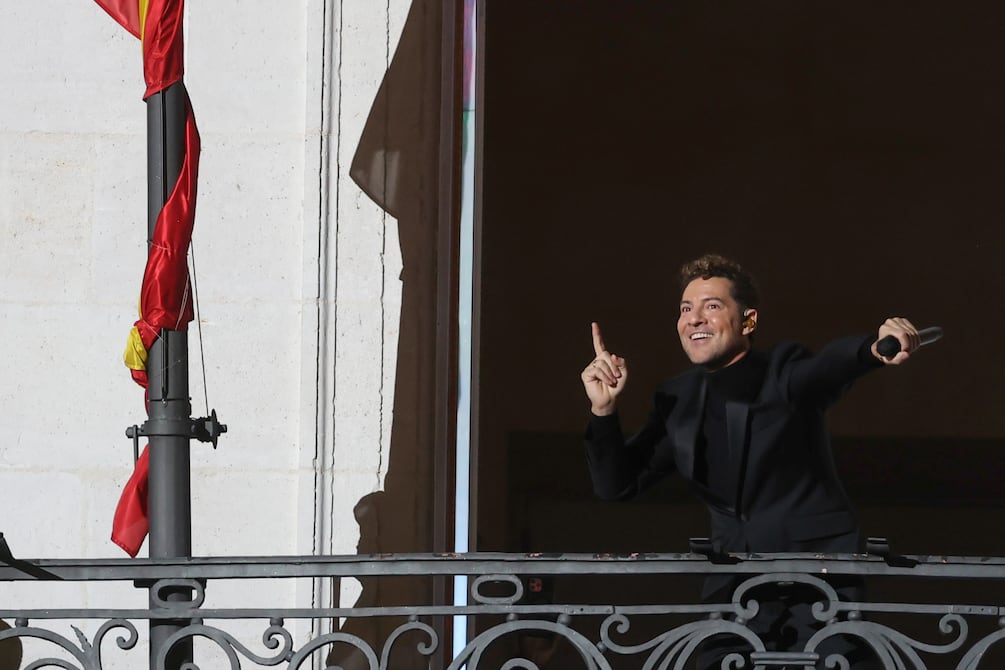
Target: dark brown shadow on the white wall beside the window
x=396 y=165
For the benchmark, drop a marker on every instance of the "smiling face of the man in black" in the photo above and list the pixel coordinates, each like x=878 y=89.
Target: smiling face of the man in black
x=712 y=329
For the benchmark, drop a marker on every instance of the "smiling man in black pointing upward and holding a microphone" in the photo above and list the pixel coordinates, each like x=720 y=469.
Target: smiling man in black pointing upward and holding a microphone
x=747 y=429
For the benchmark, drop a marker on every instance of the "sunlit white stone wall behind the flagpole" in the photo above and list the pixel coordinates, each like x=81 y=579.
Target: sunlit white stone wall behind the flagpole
x=297 y=276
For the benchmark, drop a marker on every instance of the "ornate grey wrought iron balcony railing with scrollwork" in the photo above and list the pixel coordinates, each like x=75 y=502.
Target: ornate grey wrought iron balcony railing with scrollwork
x=523 y=611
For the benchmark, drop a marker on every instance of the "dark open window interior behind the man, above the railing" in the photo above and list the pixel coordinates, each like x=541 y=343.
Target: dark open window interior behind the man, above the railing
x=850 y=154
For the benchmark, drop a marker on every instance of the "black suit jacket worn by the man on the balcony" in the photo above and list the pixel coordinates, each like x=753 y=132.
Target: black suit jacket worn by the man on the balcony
x=789 y=498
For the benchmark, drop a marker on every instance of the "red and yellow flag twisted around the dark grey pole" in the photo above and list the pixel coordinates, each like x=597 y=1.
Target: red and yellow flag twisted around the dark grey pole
x=165 y=300
